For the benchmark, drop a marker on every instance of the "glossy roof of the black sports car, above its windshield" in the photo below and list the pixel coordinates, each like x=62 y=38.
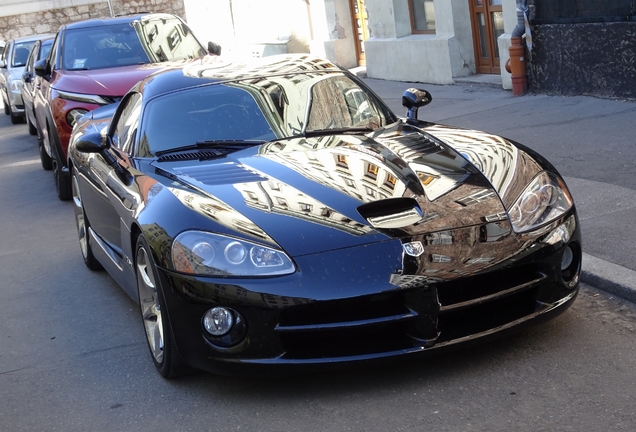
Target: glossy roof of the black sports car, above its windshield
x=213 y=69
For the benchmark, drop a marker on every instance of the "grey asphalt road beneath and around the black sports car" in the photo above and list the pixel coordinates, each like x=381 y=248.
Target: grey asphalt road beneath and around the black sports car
x=73 y=355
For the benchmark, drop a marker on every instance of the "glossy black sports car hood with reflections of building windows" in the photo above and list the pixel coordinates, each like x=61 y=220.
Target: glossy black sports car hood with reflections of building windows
x=314 y=195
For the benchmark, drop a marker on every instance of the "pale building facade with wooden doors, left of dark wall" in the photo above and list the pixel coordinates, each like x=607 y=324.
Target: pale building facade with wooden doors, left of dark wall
x=432 y=41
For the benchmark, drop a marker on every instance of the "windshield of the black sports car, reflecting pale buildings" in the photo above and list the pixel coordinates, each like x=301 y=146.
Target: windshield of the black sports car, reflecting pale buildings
x=261 y=110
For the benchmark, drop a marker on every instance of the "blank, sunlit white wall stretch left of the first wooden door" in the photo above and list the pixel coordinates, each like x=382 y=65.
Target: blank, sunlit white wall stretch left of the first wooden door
x=259 y=27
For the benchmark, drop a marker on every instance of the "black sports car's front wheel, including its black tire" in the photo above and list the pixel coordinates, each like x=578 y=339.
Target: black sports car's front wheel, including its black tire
x=154 y=315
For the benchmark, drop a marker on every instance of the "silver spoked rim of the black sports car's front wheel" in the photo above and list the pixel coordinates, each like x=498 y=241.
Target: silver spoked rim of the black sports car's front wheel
x=149 y=303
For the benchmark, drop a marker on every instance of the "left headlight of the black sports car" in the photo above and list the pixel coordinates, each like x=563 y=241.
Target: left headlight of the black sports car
x=206 y=254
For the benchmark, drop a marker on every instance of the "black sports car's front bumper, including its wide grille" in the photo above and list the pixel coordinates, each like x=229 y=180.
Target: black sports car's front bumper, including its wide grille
x=351 y=314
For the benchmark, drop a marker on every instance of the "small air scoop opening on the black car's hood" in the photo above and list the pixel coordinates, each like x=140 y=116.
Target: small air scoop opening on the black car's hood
x=392 y=213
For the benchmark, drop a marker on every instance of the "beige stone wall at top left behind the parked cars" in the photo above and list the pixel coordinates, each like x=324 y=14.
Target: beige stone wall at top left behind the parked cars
x=49 y=21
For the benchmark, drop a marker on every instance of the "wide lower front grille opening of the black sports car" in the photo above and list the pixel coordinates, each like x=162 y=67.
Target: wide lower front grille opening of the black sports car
x=411 y=319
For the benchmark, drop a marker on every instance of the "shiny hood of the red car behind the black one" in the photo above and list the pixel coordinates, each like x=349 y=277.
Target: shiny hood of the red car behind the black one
x=104 y=82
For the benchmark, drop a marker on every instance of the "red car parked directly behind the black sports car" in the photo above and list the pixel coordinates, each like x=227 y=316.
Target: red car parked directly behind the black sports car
x=94 y=63
